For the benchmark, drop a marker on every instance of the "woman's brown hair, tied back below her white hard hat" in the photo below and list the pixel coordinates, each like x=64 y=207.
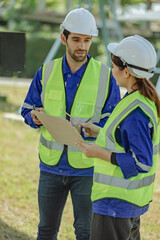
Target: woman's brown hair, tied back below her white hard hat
x=145 y=87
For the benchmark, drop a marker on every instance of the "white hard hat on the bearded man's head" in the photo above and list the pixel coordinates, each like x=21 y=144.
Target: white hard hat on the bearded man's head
x=80 y=21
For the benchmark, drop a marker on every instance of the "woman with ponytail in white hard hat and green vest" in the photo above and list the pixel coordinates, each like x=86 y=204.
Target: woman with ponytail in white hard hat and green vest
x=126 y=148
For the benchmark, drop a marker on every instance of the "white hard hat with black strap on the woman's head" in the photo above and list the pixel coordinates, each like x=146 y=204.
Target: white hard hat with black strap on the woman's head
x=137 y=54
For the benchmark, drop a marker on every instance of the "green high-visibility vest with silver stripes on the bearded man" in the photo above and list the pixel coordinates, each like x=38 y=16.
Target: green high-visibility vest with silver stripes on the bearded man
x=89 y=100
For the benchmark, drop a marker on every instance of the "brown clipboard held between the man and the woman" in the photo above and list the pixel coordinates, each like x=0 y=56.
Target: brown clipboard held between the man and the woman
x=60 y=129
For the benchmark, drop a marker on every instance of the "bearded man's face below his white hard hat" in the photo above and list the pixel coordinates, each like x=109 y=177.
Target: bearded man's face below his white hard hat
x=77 y=46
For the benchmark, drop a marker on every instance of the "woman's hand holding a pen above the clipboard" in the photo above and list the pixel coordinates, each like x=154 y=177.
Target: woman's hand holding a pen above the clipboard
x=90 y=130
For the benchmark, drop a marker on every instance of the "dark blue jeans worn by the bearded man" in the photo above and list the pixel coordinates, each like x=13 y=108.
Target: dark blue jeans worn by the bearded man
x=52 y=195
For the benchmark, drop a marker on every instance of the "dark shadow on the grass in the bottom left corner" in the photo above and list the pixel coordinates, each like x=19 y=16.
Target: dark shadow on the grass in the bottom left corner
x=9 y=233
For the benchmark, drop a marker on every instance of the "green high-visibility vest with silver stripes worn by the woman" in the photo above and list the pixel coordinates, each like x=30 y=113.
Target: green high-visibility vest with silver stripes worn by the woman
x=109 y=181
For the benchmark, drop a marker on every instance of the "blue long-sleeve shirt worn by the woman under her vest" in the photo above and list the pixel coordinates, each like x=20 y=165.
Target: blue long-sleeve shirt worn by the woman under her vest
x=135 y=133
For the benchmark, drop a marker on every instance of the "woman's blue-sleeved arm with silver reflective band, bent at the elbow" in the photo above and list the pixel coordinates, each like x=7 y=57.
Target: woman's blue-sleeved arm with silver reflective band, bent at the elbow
x=137 y=142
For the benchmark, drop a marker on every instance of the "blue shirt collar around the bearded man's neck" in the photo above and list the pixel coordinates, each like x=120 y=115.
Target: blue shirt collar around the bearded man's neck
x=79 y=72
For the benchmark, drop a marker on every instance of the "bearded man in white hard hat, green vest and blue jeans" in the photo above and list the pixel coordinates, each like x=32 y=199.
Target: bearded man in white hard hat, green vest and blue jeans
x=86 y=89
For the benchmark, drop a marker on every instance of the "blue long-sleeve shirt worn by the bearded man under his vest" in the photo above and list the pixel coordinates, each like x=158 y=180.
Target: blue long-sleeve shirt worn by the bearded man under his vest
x=71 y=82
